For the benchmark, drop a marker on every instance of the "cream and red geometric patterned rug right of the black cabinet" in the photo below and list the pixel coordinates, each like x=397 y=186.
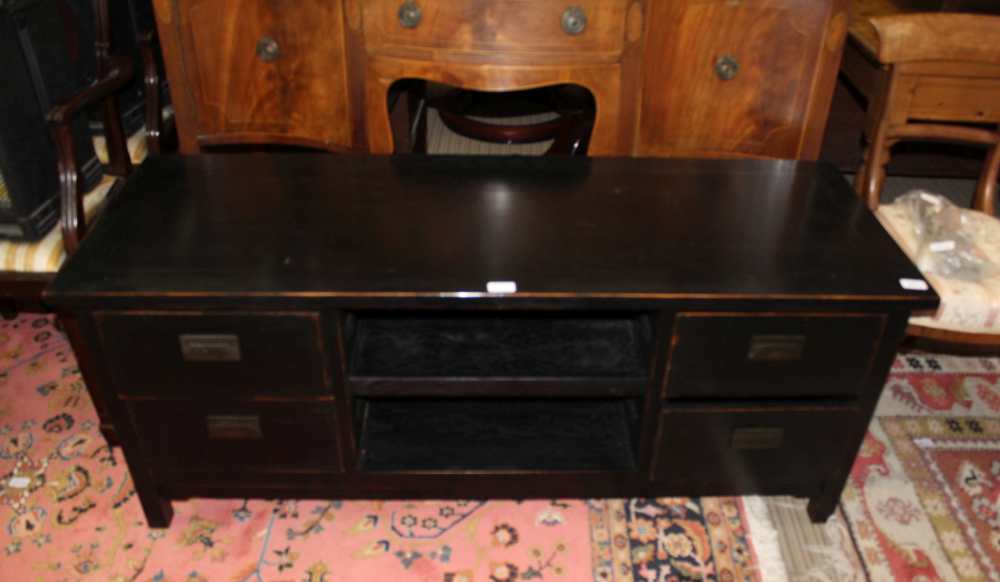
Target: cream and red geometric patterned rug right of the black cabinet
x=923 y=499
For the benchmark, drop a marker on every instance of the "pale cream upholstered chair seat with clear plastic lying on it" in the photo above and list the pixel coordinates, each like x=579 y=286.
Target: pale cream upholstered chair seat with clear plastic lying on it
x=968 y=307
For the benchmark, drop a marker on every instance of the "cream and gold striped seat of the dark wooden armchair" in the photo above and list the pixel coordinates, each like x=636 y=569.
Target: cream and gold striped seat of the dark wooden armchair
x=47 y=254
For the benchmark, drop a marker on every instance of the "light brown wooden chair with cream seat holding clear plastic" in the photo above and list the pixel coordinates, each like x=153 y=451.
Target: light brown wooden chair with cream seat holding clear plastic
x=940 y=80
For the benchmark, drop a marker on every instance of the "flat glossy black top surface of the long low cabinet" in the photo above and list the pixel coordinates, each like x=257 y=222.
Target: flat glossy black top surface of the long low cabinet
x=306 y=225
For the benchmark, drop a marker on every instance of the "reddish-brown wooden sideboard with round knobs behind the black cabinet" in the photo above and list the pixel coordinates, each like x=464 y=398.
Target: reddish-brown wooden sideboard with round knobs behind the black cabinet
x=716 y=78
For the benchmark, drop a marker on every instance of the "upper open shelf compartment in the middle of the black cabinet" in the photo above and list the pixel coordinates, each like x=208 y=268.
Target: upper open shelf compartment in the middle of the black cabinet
x=540 y=348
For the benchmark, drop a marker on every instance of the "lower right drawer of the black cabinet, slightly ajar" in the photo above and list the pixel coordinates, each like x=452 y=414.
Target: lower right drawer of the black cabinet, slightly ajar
x=729 y=452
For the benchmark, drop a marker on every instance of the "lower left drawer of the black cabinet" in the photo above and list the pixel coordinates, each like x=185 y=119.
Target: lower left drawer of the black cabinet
x=237 y=438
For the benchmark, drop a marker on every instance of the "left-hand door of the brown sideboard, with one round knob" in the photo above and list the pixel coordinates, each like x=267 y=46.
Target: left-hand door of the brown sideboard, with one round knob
x=267 y=70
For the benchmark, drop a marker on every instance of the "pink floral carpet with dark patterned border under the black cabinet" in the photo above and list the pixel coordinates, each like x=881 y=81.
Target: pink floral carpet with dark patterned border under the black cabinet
x=69 y=512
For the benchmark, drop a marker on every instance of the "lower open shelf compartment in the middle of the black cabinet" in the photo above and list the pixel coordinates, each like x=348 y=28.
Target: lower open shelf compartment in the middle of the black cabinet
x=453 y=434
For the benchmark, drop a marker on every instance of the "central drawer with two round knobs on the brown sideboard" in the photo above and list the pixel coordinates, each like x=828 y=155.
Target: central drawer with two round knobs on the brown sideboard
x=483 y=25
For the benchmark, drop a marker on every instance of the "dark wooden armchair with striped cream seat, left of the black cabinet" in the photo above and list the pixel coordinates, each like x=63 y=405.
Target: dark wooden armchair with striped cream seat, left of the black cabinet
x=28 y=267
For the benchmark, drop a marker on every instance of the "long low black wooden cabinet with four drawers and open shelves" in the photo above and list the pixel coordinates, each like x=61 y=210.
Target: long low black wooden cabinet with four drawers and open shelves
x=663 y=327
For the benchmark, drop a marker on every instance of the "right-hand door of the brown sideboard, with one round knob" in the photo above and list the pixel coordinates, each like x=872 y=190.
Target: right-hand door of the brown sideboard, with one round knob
x=739 y=77
